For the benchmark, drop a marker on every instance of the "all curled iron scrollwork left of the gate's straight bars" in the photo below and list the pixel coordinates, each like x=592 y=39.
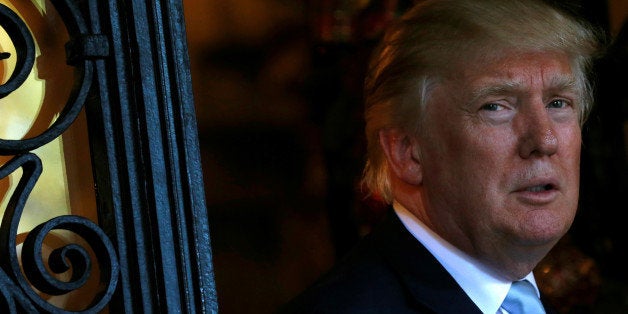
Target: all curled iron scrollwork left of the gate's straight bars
x=21 y=281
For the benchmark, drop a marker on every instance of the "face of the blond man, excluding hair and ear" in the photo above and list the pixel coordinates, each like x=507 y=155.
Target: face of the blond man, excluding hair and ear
x=501 y=152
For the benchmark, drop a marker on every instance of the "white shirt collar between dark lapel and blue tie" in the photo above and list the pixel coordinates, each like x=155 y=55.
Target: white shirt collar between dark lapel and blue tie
x=484 y=288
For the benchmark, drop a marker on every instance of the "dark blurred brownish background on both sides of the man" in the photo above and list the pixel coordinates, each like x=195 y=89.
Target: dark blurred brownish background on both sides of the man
x=277 y=86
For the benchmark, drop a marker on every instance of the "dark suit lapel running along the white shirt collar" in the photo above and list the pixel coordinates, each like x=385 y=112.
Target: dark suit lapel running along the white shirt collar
x=425 y=278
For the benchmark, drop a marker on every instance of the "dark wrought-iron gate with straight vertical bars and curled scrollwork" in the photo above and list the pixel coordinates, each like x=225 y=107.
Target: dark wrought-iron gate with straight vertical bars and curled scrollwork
x=152 y=243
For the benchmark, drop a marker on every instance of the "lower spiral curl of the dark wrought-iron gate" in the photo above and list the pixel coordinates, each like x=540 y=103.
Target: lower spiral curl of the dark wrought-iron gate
x=60 y=260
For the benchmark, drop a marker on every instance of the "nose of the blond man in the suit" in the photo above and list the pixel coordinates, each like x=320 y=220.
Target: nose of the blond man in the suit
x=538 y=137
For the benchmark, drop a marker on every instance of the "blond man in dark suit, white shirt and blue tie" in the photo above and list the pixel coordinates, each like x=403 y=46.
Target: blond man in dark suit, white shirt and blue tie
x=474 y=111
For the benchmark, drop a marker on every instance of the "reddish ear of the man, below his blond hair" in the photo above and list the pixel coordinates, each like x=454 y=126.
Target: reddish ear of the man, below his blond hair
x=402 y=153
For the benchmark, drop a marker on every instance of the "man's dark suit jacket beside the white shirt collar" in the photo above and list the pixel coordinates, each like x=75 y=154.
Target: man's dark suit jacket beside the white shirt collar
x=389 y=271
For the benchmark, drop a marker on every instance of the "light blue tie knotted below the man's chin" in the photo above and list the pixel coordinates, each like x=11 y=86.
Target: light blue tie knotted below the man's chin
x=522 y=299
